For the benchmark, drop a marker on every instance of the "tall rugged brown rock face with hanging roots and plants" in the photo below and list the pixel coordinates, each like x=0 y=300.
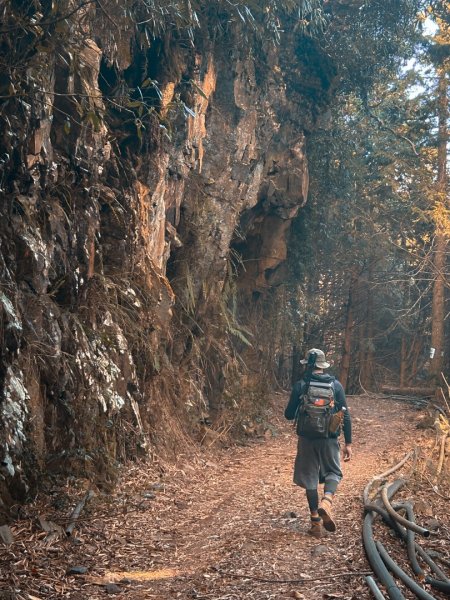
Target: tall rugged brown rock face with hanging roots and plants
x=134 y=169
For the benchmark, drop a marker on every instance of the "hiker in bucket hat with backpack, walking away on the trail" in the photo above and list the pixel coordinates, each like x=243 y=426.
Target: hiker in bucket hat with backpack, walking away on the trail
x=318 y=404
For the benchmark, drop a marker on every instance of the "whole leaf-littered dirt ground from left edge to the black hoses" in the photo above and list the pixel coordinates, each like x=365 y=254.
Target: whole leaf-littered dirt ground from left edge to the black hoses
x=222 y=528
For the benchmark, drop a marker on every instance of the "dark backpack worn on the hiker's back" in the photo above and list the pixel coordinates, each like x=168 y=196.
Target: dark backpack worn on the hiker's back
x=315 y=410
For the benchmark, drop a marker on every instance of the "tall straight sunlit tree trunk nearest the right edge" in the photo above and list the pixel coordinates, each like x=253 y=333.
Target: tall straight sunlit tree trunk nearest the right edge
x=441 y=235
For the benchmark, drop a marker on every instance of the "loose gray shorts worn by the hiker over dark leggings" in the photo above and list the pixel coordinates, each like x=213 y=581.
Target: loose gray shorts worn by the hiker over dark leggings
x=317 y=460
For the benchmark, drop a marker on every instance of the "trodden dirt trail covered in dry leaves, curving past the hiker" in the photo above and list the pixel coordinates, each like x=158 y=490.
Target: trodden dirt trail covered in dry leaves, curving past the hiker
x=214 y=524
